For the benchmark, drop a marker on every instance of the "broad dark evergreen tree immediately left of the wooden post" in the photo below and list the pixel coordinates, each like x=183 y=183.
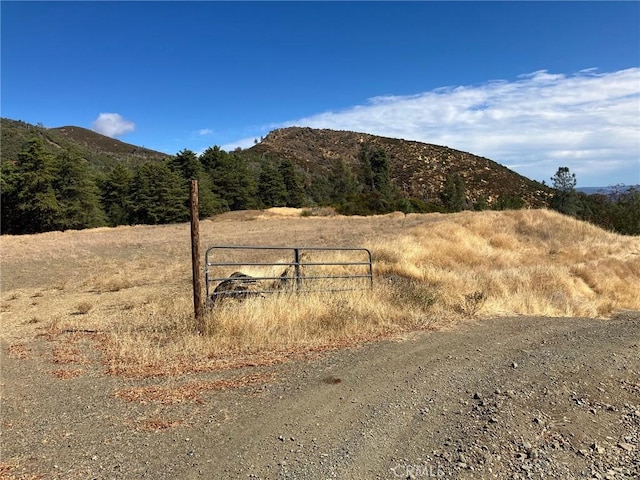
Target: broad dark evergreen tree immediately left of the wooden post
x=158 y=195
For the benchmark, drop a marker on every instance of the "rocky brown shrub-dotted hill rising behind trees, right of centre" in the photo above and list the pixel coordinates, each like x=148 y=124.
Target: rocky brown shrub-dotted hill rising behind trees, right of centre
x=417 y=169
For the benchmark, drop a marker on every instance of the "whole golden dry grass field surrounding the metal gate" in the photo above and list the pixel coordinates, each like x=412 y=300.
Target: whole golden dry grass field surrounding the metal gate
x=129 y=288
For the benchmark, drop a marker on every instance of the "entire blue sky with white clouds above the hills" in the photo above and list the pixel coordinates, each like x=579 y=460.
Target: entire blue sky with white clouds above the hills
x=533 y=86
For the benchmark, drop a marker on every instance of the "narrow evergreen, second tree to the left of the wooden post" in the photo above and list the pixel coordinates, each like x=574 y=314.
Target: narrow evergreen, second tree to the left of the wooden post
x=116 y=195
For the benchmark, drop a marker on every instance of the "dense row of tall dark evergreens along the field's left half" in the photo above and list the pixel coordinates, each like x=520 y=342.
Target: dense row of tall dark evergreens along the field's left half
x=42 y=192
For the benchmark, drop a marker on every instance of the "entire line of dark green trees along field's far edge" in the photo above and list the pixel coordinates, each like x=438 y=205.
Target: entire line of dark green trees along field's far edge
x=43 y=192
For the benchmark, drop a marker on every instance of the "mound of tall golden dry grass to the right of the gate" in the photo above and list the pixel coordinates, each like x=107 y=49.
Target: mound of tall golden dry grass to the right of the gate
x=526 y=262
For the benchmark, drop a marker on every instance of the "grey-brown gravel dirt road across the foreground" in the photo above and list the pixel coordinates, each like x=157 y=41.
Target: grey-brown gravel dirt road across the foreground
x=503 y=398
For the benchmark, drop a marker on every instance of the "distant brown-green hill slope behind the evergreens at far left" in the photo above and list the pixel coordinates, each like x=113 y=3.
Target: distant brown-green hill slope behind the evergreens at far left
x=102 y=152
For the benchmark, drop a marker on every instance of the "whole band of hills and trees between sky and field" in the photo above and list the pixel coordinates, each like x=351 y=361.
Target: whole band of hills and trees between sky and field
x=72 y=178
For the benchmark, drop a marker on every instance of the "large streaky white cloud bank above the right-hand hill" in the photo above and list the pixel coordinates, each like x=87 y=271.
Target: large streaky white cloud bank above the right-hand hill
x=588 y=121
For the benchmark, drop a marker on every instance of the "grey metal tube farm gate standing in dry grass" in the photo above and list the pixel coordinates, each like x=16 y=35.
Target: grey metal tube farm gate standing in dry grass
x=242 y=271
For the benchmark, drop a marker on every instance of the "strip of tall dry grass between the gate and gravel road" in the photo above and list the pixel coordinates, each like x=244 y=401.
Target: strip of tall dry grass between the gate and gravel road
x=161 y=336
